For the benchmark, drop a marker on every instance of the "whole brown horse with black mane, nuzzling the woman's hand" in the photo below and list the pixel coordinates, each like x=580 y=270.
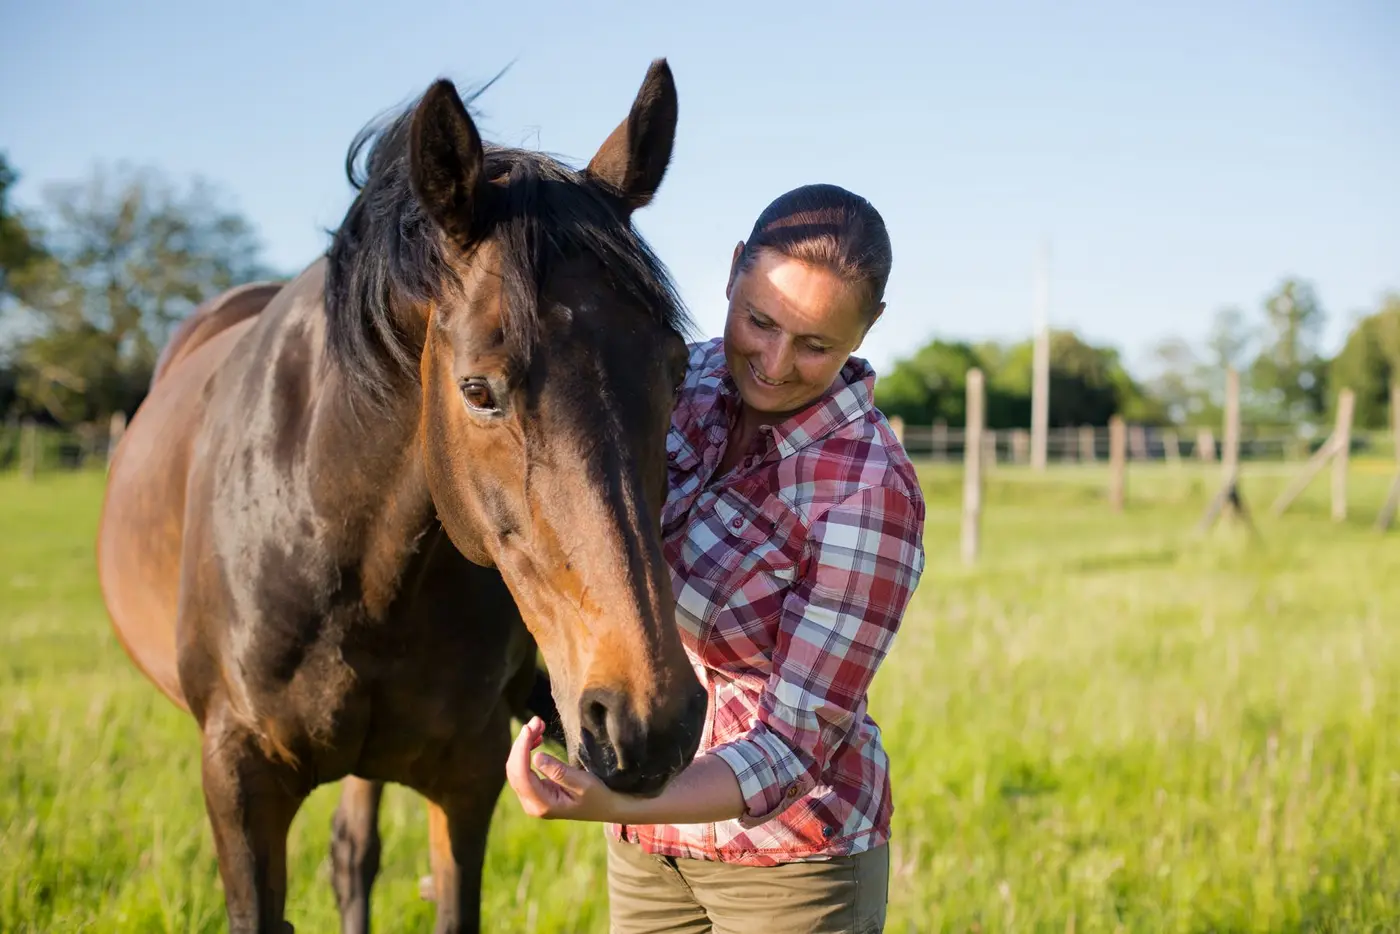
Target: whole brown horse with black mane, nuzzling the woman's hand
x=352 y=508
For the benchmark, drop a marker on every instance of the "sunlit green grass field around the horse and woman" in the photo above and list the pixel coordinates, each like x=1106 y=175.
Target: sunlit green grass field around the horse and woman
x=1112 y=725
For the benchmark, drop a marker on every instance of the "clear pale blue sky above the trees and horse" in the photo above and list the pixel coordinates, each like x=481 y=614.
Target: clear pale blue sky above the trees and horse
x=1179 y=156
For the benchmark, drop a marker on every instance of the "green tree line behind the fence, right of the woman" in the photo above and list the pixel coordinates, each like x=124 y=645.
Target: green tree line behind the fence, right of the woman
x=1286 y=380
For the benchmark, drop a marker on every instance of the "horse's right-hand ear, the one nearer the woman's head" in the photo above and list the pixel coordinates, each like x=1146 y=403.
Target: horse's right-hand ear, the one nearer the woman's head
x=633 y=160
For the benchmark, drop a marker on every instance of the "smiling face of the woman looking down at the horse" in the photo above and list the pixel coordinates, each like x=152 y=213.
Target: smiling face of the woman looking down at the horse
x=790 y=331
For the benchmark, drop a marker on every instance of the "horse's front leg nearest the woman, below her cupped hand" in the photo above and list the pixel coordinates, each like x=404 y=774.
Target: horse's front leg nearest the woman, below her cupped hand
x=460 y=817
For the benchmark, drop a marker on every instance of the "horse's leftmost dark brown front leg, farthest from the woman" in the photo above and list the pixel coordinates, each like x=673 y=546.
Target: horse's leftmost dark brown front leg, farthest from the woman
x=251 y=803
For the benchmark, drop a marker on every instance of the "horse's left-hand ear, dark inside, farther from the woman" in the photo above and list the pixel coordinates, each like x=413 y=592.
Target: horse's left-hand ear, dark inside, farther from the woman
x=447 y=162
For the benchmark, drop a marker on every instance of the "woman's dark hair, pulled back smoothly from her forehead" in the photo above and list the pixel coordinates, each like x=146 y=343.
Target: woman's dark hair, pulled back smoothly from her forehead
x=827 y=226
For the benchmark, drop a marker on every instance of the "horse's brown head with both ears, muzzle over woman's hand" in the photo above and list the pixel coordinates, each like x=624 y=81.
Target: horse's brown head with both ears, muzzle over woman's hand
x=551 y=352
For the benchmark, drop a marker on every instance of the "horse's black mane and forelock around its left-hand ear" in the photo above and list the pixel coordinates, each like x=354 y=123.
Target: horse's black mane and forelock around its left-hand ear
x=388 y=253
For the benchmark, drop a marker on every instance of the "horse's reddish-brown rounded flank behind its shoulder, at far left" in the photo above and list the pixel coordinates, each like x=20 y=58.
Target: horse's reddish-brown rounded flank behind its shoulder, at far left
x=142 y=531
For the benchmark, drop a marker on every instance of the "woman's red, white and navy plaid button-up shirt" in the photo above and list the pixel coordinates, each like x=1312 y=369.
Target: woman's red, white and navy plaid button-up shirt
x=792 y=575
